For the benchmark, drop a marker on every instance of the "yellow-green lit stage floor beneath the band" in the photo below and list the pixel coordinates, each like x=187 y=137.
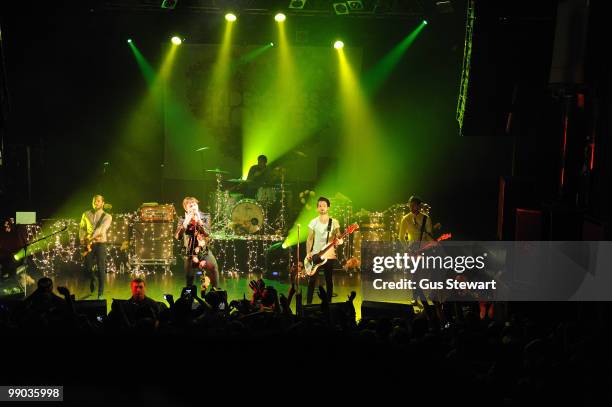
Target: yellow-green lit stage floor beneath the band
x=159 y=283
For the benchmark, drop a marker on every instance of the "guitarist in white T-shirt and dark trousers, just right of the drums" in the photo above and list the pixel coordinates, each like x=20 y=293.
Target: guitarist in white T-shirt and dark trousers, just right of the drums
x=322 y=230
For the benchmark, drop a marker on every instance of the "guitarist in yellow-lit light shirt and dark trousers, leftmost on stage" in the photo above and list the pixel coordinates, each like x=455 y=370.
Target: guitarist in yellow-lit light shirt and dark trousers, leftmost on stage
x=92 y=235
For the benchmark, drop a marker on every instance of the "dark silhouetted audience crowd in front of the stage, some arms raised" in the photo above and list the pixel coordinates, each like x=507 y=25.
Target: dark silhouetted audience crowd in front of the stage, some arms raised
x=506 y=357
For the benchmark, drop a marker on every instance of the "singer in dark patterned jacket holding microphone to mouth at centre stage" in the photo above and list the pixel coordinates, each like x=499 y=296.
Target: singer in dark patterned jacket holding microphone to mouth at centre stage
x=194 y=229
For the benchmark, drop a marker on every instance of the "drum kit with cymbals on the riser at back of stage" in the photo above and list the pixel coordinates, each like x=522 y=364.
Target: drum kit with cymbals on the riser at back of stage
x=241 y=208
